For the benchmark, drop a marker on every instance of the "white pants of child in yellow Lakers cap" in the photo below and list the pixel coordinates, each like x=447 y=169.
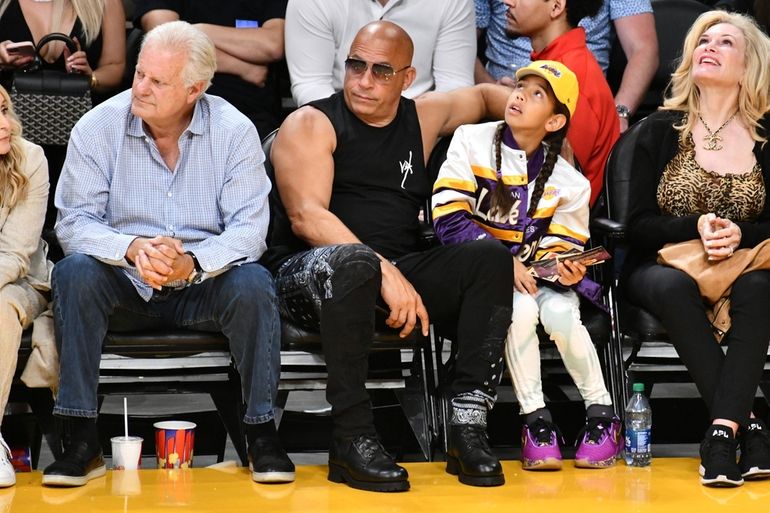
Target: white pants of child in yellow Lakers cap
x=559 y=312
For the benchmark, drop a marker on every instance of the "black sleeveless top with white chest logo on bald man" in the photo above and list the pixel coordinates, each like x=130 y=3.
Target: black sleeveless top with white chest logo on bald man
x=380 y=181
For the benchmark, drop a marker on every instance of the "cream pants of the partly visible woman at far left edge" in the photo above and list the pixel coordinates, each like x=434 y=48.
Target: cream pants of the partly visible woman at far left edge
x=19 y=305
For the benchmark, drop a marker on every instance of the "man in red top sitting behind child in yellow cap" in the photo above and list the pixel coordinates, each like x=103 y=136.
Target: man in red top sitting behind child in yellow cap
x=553 y=28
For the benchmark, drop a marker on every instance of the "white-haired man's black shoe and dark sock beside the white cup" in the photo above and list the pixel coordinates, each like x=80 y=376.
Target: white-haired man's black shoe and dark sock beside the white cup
x=82 y=459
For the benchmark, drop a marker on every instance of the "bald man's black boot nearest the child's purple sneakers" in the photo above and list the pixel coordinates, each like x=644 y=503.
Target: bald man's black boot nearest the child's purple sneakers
x=470 y=458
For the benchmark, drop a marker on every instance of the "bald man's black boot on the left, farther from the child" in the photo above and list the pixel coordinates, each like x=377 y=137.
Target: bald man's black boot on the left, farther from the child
x=363 y=463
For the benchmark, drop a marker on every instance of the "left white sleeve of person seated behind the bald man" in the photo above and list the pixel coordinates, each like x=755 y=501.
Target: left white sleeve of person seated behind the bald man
x=310 y=50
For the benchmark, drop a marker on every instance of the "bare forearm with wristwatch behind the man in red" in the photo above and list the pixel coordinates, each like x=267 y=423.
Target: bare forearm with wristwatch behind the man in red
x=640 y=44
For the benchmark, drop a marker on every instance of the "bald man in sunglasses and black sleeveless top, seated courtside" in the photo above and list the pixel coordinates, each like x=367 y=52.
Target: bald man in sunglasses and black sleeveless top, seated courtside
x=350 y=171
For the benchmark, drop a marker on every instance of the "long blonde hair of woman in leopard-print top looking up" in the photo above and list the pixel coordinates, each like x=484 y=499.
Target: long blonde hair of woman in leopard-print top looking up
x=753 y=98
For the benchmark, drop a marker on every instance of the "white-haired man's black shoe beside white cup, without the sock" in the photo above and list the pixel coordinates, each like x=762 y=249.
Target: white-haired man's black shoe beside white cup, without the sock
x=80 y=463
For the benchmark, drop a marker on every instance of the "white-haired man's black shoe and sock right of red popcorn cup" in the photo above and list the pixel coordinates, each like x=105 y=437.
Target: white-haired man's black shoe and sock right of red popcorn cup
x=268 y=460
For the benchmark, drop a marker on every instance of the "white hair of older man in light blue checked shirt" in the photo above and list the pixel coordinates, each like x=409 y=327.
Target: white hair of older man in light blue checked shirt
x=199 y=50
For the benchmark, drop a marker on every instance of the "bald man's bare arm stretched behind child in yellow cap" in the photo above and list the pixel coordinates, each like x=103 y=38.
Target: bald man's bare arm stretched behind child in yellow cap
x=441 y=113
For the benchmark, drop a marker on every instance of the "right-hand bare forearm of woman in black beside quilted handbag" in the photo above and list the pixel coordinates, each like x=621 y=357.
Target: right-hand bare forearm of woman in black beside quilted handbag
x=112 y=61
